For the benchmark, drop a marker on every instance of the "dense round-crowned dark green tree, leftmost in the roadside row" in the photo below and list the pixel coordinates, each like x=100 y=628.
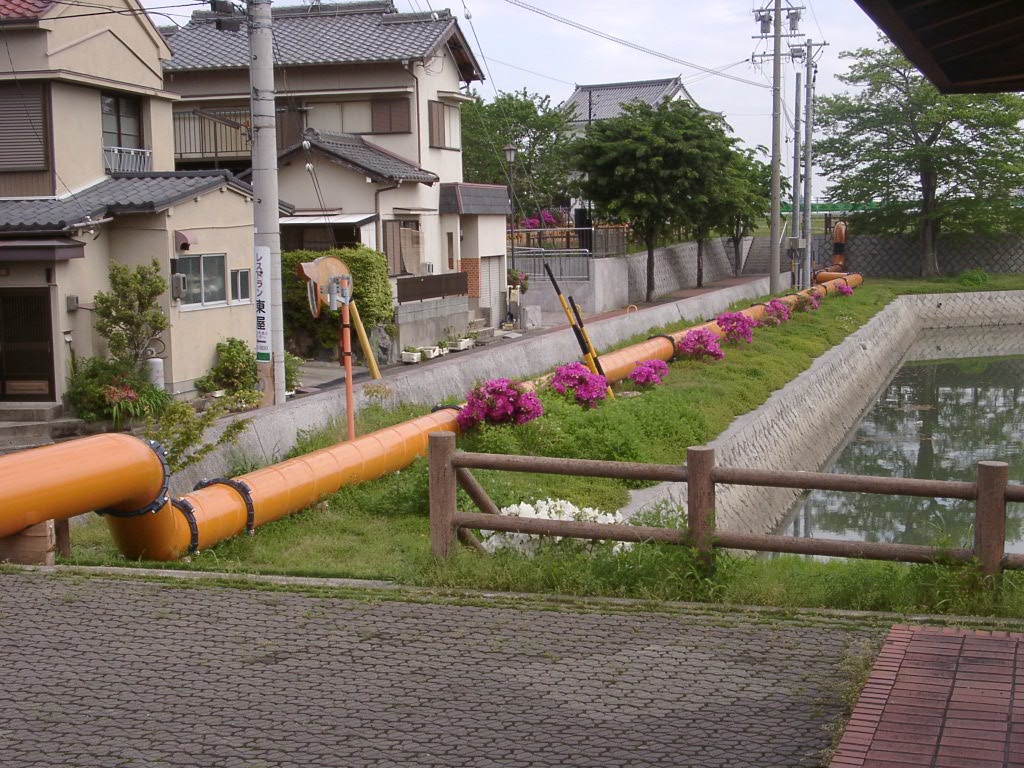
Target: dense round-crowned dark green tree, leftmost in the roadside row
x=654 y=168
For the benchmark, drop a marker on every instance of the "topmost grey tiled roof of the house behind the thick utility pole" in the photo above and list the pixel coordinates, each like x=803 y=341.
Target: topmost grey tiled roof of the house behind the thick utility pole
x=342 y=33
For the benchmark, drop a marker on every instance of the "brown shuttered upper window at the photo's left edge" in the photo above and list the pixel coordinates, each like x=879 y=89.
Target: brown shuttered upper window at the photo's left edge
x=24 y=132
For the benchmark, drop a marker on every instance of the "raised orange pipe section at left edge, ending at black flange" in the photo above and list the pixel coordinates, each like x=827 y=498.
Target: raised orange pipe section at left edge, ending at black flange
x=107 y=472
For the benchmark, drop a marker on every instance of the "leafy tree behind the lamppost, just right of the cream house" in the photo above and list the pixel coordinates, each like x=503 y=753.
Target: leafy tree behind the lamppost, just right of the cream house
x=542 y=173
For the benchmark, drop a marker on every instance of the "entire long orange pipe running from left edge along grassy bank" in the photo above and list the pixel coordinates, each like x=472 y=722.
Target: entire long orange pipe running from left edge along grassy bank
x=124 y=475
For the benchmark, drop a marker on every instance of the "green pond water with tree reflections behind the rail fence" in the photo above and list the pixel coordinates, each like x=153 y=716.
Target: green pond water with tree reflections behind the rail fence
x=933 y=421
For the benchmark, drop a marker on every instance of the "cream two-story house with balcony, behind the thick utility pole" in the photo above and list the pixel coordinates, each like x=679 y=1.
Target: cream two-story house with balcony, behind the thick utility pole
x=369 y=134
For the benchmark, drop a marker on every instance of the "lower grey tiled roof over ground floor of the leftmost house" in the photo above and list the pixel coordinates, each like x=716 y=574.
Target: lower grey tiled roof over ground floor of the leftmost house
x=136 y=193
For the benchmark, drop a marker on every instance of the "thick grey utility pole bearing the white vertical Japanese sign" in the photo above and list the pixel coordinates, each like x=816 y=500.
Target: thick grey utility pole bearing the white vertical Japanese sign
x=265 y=160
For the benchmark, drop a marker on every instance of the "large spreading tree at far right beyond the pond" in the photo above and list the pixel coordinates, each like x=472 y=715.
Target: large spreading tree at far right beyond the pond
x=918 y=161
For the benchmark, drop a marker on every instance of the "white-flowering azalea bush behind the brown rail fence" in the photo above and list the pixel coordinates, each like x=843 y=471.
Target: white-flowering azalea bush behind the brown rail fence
x=552 y=509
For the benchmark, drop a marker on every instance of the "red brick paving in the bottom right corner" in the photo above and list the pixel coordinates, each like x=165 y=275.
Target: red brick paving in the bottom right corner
x=943 y=698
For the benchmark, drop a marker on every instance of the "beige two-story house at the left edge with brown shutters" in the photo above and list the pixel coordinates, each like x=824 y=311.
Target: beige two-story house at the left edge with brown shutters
x=88 y=179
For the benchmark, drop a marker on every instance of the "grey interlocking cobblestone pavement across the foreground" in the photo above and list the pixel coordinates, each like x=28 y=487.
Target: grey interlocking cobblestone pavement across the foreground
x=126 y=672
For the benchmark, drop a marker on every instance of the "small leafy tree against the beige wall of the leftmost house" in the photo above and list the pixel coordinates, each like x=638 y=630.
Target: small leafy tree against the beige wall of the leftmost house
x=129 y=317
